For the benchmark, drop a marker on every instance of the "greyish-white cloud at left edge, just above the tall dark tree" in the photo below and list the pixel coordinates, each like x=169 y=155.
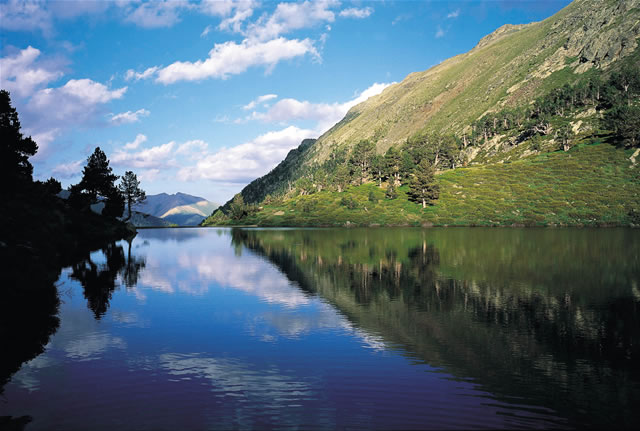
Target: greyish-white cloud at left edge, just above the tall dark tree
x=21 y=76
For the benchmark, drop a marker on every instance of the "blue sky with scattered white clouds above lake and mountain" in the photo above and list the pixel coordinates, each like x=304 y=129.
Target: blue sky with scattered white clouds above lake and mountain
x=203 y=97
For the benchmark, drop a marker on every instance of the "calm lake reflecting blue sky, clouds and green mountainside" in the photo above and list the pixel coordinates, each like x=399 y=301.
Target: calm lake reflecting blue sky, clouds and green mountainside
x=356 y=328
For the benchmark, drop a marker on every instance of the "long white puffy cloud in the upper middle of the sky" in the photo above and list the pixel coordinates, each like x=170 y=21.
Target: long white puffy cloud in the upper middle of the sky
x=230 y=58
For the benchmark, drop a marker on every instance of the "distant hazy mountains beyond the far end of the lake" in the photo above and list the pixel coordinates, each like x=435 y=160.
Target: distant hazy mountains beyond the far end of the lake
x=180 y=208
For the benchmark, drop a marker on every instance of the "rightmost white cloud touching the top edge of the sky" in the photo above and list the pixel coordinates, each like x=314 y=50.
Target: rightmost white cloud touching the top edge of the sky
x=292 y=16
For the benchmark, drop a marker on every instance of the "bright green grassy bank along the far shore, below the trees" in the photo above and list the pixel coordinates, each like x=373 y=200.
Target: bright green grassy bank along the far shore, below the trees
x=590 y=185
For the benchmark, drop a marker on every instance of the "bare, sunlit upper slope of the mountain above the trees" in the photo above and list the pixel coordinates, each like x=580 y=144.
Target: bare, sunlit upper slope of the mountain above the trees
x=509 y=67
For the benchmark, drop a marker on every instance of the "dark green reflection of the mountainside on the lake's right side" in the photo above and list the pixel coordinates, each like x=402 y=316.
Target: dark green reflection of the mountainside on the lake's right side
x=557 y=326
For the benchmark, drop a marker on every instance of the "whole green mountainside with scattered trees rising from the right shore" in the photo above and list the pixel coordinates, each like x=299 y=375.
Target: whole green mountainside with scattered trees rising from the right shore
x=501 y=112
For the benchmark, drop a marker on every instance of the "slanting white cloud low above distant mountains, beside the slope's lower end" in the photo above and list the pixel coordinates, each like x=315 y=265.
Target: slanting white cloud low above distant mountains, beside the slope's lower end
x=247 y=161
